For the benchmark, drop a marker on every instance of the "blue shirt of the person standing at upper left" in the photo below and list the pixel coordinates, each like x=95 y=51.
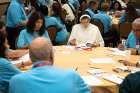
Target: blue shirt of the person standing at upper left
x=15 y=14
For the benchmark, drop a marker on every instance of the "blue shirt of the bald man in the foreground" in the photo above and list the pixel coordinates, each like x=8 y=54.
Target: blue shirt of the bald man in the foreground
x=48 y=79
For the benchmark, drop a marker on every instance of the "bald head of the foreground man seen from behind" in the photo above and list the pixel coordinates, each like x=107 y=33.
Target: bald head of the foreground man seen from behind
x=41 y=50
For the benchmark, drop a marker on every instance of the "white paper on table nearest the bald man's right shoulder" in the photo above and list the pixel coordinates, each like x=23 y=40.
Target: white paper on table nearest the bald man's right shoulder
x=92 y=81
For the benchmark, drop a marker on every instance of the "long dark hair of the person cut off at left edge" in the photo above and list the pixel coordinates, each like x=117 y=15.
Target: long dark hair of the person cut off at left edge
x=2 y=41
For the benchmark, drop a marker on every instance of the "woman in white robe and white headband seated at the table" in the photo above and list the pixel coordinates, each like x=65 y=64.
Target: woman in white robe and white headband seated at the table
x=85 y=33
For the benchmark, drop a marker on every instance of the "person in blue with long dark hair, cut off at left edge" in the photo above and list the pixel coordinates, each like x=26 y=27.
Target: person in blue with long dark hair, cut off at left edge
x=7 y=70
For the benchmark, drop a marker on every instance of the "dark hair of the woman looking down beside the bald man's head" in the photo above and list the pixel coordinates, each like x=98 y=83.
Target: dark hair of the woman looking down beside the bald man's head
x=32 y=20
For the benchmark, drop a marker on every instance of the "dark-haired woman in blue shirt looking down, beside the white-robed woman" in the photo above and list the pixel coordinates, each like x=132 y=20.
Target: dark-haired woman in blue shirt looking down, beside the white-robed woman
x=35 y=28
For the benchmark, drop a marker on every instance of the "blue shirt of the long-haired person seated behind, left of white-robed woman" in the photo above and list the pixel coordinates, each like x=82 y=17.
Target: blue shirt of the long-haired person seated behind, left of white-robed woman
x=62 y=34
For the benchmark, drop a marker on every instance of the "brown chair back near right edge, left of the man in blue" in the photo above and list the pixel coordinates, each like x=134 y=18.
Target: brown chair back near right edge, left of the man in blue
x=125 y=29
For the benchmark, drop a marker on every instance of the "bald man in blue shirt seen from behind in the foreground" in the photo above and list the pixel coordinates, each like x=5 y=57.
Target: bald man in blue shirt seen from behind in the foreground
x=45 y=78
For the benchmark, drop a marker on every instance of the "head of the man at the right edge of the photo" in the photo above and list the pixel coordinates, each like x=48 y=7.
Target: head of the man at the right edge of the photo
x=136 y=27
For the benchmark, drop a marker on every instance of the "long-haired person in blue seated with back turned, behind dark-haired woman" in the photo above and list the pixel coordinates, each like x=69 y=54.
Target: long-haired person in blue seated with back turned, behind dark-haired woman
x=58 y=20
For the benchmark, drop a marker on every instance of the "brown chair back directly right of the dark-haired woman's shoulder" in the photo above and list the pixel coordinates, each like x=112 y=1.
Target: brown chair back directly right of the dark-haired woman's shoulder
x=52 y=31
